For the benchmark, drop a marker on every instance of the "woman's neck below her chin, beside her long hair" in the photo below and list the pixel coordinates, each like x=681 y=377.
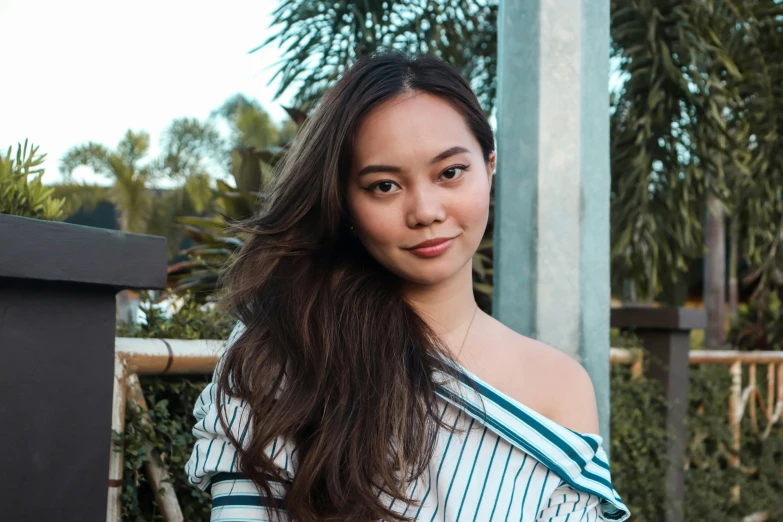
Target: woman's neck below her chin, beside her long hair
x=447 y=307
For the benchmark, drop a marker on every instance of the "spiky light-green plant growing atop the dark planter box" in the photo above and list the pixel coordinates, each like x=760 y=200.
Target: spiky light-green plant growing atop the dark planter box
x=21 y=191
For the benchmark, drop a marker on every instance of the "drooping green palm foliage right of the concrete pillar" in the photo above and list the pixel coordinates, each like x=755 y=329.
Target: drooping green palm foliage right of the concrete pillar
x=698 y=114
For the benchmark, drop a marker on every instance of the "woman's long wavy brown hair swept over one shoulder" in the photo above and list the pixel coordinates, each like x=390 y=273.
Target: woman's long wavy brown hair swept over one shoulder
x=332 y=357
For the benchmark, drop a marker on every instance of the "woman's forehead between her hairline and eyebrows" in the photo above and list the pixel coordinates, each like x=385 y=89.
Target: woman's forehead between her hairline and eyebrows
x=409 y=125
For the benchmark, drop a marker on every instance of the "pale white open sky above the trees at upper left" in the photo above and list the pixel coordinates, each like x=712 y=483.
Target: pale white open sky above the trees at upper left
x=89 y=70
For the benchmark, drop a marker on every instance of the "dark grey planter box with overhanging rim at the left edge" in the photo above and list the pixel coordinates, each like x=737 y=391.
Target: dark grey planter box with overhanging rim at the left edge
x=57 y=321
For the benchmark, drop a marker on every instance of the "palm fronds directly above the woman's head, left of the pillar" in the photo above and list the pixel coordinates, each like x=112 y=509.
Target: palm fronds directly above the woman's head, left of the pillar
x=319 y=41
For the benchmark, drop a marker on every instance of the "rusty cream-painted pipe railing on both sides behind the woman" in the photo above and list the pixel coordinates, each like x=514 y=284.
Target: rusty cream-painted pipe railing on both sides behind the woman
x=135 y=357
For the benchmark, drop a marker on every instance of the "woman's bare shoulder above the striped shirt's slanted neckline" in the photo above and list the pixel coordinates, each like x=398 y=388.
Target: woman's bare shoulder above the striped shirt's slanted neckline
x=543 y=378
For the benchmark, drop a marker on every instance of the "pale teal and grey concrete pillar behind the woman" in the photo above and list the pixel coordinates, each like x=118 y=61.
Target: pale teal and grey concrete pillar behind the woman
x=552 y=199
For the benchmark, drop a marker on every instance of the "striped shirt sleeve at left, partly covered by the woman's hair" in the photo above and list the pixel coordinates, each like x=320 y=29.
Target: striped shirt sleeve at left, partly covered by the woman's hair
x=212 y=466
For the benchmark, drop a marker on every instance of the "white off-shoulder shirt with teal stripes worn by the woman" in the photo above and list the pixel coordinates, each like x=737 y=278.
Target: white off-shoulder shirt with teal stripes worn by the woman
x=508 y=464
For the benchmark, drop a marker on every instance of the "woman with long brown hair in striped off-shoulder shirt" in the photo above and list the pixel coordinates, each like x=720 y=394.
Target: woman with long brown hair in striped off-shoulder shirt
x=362 y=381
